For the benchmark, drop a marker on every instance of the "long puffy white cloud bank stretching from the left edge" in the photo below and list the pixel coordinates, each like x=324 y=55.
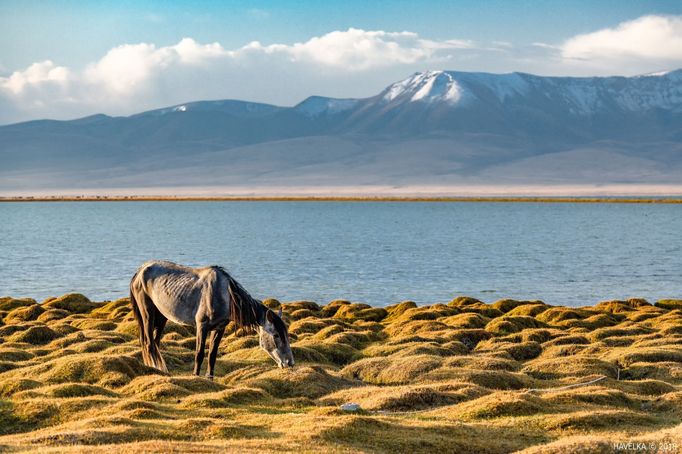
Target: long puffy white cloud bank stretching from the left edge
x=133 y=77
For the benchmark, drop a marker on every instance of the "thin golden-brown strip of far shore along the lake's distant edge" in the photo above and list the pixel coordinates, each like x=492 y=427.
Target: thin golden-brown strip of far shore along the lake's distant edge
x=498 y=199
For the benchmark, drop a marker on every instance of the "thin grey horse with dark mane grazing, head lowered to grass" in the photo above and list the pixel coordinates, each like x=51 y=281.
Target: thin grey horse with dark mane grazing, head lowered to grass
x=208 y=299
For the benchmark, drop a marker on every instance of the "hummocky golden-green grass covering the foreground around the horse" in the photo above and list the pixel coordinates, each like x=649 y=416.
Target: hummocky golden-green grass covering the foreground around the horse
x=443 y=378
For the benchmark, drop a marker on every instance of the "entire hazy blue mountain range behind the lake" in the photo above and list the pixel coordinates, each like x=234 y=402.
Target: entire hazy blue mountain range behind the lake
x=433 y=128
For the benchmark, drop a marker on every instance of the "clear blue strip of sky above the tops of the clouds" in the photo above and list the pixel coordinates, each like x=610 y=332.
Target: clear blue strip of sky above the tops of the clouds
x=74 y=32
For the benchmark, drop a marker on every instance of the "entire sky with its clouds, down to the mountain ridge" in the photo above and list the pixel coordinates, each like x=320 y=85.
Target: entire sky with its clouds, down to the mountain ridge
x=66 y=59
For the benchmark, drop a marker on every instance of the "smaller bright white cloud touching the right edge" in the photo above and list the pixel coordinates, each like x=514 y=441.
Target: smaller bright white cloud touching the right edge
x=649 y=39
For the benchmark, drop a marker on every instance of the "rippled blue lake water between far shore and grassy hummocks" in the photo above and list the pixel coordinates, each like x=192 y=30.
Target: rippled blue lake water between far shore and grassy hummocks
x=379 y=253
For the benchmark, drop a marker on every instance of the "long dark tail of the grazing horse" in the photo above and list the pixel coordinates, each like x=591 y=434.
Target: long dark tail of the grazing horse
x=151 y=355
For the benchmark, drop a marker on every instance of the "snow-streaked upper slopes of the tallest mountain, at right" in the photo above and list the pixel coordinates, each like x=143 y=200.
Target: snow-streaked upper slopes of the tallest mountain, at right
x=578 y=95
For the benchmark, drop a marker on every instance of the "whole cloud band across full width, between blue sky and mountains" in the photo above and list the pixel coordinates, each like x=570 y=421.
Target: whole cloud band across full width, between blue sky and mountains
x=351 y=63
